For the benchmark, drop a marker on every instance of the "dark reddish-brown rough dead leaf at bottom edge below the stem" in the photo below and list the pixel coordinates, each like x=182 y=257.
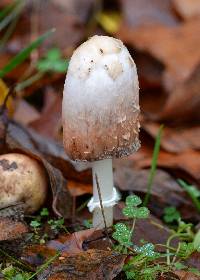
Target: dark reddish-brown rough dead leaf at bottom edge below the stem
x=89 y=265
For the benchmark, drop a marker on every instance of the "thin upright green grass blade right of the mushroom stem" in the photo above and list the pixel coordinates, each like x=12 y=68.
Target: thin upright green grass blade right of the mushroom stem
x=153 y=165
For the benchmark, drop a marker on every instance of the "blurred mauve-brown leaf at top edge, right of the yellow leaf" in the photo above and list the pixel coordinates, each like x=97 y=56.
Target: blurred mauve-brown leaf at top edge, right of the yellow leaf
x=140 y=12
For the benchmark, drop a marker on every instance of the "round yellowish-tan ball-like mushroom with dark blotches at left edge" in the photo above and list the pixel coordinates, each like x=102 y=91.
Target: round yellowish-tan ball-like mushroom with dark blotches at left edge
x=22 y=179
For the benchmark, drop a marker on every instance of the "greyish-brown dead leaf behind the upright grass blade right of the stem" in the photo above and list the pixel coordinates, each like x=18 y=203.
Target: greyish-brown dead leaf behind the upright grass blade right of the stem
x=165 y=190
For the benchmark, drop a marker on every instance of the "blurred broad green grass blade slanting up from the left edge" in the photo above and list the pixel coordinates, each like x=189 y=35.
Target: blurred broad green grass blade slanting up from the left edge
x=20 y=57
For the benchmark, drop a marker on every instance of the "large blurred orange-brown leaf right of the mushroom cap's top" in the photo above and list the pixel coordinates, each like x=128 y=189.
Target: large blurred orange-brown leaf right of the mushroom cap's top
x=177 y=48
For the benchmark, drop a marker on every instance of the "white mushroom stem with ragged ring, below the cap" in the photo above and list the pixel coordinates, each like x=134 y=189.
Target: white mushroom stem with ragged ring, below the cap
x=104 y=172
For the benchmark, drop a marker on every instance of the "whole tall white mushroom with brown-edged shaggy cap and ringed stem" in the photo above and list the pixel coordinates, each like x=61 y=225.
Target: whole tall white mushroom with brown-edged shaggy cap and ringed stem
x=100 y=113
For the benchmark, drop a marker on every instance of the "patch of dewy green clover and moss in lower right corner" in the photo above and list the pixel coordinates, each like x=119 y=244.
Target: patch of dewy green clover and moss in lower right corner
x=143 y=261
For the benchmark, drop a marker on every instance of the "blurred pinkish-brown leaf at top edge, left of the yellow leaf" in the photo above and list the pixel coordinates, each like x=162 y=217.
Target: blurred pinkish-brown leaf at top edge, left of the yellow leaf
x=65 y=18
